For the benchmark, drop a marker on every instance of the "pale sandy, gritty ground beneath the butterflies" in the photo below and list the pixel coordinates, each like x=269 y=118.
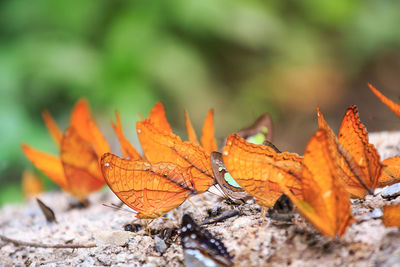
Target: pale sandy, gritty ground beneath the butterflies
x=254 y=240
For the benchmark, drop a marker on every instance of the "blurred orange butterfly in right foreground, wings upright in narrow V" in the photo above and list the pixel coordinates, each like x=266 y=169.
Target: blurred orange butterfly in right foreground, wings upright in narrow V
x=325 y=201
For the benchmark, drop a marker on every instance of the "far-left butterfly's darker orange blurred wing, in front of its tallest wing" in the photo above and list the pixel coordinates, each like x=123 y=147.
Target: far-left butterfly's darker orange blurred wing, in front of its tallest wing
x=81 y=165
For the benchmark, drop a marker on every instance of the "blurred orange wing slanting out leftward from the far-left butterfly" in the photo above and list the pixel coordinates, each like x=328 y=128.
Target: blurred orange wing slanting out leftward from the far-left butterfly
x=50 y=165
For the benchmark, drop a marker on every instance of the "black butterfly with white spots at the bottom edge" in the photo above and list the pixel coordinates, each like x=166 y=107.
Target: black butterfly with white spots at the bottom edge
x=200 y=248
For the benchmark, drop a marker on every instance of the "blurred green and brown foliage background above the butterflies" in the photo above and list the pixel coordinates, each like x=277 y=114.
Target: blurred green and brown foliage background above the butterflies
x=241 y=58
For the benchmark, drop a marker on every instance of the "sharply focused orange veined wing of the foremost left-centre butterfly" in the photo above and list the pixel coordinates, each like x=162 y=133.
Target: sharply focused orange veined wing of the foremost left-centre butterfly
x=151 y=189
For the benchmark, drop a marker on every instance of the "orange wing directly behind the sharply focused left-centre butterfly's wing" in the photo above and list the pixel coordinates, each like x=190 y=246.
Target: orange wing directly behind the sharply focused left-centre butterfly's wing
x=162 y=146
